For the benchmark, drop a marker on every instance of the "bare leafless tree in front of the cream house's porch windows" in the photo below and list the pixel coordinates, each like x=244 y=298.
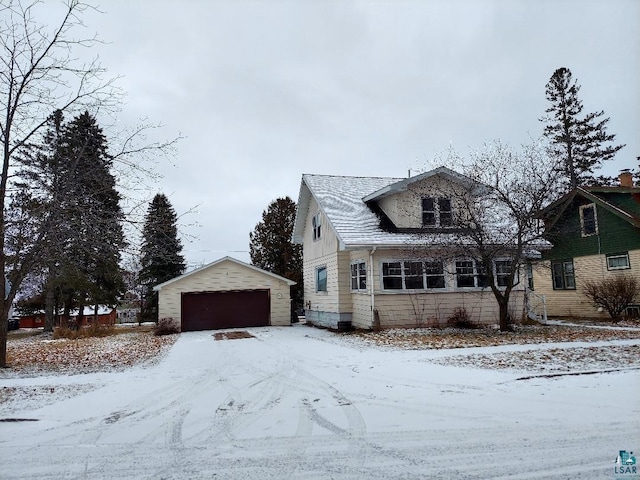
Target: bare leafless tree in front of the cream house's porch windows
x=496 y=229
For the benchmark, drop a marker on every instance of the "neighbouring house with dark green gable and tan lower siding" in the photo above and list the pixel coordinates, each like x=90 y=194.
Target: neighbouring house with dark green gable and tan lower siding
x=595 y=232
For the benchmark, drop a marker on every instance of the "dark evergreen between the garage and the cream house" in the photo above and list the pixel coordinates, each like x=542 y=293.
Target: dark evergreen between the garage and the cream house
x=271 y=247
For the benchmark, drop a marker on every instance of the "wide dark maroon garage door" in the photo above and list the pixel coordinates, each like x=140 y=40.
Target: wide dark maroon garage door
x=213 y=310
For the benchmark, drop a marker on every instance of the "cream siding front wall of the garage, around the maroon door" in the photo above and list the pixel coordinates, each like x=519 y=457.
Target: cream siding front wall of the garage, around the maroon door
x=226 y=276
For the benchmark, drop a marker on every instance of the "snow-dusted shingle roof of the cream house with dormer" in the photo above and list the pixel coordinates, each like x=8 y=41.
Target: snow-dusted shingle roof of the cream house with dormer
x=342 y=201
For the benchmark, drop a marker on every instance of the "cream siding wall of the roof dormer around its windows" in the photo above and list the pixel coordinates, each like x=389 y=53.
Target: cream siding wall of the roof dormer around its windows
x=404 y=209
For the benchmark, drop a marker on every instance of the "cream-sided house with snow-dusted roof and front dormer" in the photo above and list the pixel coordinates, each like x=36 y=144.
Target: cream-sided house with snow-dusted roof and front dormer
x=375 y=252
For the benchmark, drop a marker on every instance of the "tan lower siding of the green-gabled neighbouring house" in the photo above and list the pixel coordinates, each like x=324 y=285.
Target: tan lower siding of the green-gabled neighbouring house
x=572 y=303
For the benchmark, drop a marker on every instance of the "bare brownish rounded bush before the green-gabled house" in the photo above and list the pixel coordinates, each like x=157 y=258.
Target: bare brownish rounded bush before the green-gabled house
x=613 y=294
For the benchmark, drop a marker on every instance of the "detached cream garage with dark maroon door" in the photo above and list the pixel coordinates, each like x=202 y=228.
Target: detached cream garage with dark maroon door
x=227 y=293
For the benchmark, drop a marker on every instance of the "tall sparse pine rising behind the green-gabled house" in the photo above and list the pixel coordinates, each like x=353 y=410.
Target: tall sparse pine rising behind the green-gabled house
x=581 y=141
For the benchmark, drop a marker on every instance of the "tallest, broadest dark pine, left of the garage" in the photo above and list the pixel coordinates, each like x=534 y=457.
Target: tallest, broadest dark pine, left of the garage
x=92 y=215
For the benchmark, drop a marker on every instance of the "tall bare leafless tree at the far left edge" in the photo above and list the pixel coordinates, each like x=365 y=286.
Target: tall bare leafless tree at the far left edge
x=39 y=75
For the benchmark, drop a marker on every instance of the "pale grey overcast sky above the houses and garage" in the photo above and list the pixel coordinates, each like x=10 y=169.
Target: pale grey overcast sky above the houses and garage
x=266 y=91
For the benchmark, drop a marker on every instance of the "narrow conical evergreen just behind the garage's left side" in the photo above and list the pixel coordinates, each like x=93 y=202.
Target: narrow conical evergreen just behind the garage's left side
x=161 y=255
